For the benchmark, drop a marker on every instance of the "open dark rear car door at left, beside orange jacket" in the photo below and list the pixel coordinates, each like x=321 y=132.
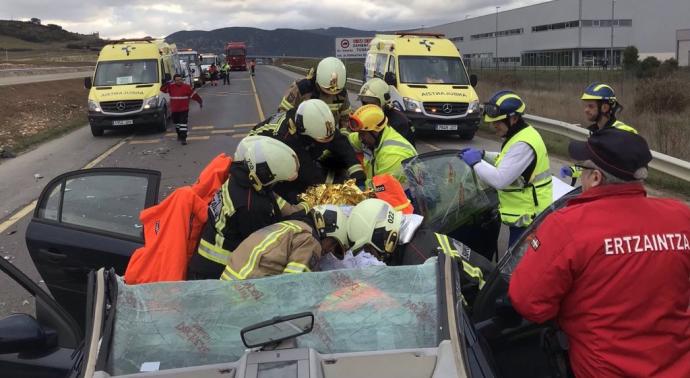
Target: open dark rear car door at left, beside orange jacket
x=85 y=220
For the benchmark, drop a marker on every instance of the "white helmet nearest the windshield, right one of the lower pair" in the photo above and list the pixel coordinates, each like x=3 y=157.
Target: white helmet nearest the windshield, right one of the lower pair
x=374 y=222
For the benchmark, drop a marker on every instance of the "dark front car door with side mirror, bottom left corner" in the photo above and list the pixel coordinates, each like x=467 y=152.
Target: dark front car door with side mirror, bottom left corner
x=40 y=343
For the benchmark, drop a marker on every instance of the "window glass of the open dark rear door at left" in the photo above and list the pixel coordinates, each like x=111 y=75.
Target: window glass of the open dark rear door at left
x=105 y=200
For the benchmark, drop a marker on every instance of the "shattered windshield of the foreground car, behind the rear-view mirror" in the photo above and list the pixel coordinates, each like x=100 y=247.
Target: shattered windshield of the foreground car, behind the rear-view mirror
x=180 y=324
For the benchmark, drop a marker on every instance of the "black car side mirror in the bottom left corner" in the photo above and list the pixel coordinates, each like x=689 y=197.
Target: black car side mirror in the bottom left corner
x=22 y=333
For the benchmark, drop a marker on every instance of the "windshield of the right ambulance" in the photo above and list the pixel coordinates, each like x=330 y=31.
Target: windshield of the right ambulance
x=432 y=70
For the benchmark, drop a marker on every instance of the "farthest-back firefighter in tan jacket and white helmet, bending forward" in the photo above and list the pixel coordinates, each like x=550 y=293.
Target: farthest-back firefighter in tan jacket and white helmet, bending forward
x=327 y=83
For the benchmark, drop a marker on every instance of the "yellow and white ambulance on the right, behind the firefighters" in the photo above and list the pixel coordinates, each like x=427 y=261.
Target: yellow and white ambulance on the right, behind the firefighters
x=428 y=81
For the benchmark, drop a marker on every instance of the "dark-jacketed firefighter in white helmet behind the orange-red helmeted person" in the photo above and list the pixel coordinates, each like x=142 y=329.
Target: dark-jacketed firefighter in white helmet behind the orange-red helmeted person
x=377 y=92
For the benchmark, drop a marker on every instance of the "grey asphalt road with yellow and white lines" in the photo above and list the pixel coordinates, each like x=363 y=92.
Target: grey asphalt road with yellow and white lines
x=228 y=112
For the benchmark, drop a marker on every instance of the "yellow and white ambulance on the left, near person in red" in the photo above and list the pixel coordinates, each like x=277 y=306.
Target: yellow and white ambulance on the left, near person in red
x=124 y=90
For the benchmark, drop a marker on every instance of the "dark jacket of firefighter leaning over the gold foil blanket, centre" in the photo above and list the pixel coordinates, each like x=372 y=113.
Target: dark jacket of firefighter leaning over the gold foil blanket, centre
x=281 y=126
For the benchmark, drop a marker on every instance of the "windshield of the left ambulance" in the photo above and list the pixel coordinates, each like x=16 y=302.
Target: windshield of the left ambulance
x=126 y=72
